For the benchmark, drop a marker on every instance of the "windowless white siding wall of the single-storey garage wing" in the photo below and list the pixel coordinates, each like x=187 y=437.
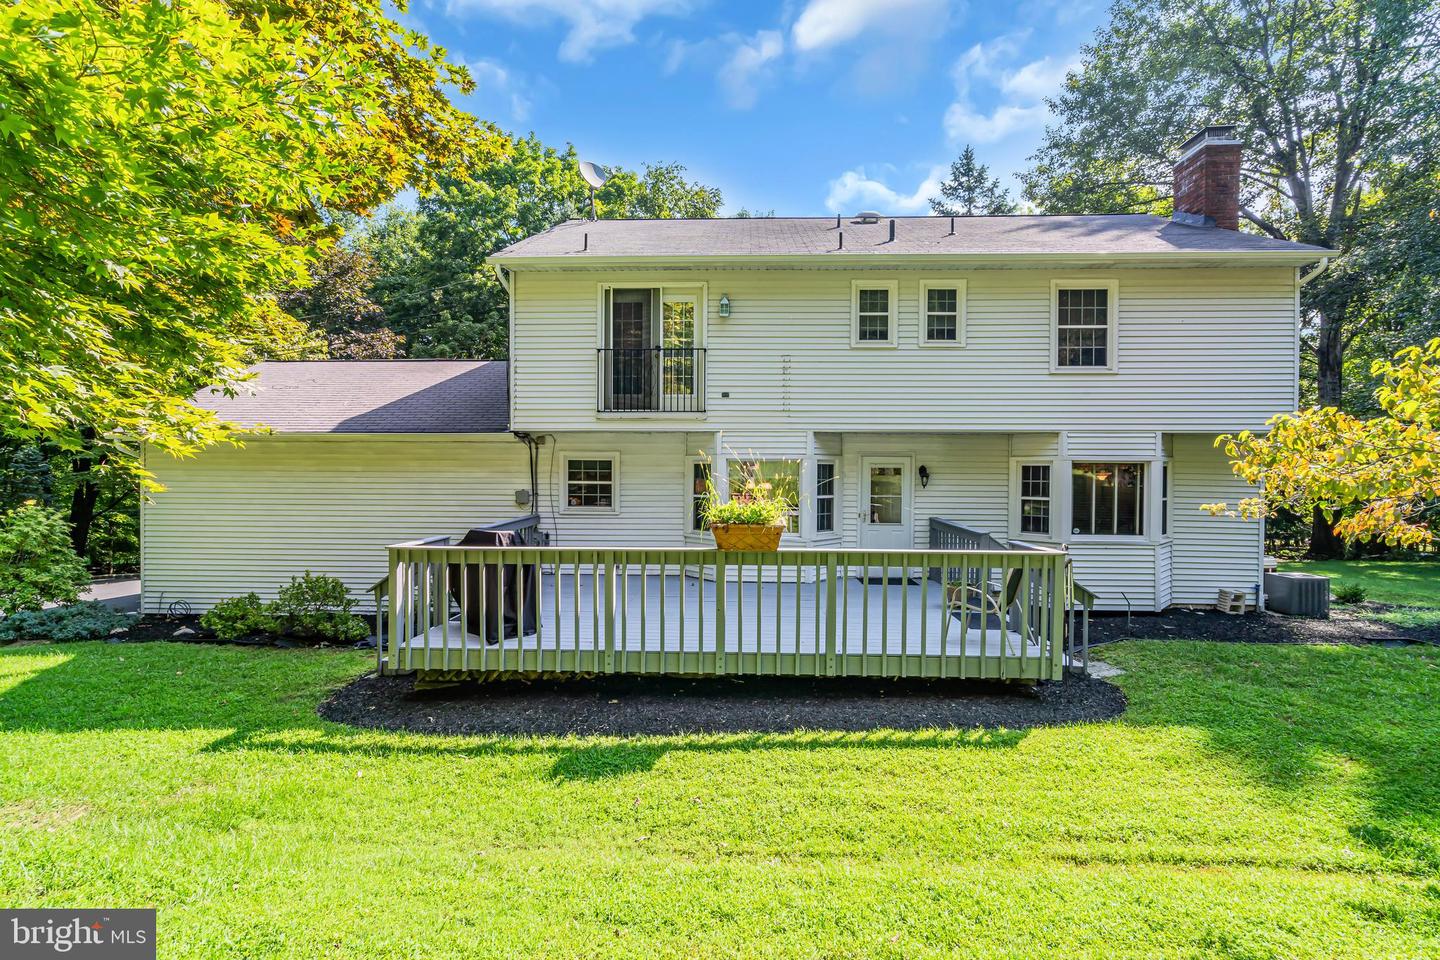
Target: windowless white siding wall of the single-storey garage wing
x=235 y=520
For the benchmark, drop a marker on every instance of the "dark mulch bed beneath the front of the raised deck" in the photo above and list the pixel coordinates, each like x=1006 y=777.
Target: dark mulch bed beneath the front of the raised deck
x=627 y=705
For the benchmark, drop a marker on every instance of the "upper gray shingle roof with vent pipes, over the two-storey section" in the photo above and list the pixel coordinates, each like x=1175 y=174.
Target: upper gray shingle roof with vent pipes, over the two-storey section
x=1111 y=235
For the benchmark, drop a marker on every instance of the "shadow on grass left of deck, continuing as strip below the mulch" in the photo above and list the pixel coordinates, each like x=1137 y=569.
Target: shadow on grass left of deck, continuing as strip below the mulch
x=267 y=699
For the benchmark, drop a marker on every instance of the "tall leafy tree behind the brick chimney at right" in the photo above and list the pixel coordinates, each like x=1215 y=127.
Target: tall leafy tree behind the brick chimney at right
x=1328 y=96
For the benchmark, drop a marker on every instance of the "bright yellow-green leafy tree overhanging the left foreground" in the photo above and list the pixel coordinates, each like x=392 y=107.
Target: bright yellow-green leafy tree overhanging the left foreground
x=163 y=168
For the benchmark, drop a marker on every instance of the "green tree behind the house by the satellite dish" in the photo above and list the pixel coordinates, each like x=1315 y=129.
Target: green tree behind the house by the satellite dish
x=433 y=280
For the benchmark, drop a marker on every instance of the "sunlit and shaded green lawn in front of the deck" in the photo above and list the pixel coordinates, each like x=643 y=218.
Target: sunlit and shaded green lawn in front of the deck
x=1255 y=802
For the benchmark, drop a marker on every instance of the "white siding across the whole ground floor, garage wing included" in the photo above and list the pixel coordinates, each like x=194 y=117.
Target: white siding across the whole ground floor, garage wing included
x=238 y=520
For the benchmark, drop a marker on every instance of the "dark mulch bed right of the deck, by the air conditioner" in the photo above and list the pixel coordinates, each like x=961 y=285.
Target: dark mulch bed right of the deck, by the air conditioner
x=1347 y=625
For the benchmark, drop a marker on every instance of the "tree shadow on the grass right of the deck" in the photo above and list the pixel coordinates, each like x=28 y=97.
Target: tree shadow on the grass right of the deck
x=1298 y=716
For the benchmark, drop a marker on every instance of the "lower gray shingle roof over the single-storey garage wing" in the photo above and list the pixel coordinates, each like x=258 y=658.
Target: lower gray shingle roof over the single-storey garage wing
x=371 y=397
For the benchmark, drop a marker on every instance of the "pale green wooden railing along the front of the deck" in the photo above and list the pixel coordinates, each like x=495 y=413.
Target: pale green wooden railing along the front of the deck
x=996 y=614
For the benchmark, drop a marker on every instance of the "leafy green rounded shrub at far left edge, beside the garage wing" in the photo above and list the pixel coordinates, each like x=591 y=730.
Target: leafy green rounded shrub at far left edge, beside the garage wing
x=38 y=565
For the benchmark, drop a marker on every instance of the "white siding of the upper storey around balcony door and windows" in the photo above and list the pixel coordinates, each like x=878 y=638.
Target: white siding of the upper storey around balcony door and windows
x=784 y=358
